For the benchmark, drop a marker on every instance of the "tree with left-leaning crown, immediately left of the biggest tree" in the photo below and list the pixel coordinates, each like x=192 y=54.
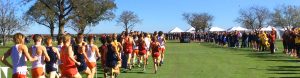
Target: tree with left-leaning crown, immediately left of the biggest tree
x=42 y=15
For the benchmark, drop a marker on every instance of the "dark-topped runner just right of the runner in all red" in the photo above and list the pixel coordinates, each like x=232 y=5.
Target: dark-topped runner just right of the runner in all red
x=81 y=56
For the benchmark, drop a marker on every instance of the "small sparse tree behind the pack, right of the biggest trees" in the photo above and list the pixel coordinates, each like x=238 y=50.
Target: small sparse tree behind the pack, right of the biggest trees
x=128 y=19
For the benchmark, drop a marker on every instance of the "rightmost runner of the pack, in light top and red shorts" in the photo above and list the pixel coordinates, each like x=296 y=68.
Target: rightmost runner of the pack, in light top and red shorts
x=161 y=39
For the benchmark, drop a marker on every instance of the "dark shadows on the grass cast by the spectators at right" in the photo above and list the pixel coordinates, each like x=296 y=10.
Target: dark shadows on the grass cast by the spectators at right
x=283 y=71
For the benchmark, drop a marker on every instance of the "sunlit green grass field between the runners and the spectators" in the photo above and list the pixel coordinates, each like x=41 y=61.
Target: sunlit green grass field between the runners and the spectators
x=207 y=60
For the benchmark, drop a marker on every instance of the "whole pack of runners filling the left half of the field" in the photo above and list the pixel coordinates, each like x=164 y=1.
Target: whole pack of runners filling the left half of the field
x=73 y=56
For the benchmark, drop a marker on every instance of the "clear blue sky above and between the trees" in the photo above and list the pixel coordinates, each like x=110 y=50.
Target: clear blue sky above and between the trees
x=166 y=14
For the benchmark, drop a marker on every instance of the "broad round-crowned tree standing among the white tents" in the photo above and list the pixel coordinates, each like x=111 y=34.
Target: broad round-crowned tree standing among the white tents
x=200 y=21
